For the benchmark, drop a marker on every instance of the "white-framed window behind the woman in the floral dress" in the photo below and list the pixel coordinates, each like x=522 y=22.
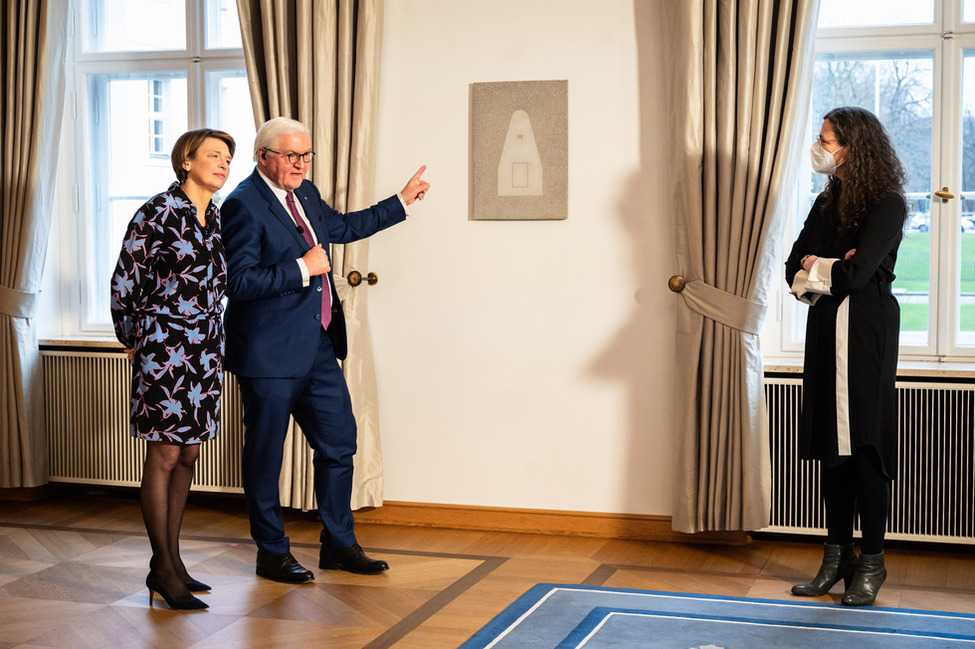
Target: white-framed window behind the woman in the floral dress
x=142 y=73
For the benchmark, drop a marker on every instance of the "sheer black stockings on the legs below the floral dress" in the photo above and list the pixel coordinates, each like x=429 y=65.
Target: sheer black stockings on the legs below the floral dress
x=166 y=478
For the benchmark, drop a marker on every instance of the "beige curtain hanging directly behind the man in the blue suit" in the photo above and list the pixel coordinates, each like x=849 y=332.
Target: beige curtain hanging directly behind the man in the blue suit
x=317 y=61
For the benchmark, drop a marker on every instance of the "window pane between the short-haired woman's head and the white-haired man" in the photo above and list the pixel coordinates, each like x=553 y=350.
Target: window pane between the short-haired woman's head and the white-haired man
x=229 y=109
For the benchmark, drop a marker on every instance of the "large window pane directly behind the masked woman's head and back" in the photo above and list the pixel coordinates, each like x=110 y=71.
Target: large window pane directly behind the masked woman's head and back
x=898 y=88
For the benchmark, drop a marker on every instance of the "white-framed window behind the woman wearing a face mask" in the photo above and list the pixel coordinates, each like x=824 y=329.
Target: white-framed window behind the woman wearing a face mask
x=911 y=62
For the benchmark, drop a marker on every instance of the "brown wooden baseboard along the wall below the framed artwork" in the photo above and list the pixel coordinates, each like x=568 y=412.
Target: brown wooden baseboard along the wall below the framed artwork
x=540 y=521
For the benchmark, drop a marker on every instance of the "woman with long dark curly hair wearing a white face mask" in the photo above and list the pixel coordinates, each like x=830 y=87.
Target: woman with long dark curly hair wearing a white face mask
x=843 y=265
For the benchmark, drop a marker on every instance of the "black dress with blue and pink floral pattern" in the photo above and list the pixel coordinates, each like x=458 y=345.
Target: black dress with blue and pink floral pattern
x=167 y=304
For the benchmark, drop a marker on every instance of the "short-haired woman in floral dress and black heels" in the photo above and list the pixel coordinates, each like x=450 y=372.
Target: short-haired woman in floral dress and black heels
x=167 y=305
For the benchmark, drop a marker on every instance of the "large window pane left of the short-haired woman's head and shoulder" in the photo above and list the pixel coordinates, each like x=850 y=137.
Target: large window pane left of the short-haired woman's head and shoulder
x=129 y=147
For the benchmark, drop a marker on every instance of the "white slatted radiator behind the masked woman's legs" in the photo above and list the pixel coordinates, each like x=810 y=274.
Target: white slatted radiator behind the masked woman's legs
x=932 y=498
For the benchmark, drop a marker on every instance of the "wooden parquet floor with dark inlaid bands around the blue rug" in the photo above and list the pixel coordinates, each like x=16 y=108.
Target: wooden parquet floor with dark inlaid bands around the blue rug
x=72 y=571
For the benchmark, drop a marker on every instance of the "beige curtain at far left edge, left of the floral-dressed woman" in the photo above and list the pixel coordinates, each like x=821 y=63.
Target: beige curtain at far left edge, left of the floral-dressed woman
x=32 y=78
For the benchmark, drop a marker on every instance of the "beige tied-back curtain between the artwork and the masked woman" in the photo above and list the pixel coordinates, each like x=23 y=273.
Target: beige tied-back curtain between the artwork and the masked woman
x=742 y=72
